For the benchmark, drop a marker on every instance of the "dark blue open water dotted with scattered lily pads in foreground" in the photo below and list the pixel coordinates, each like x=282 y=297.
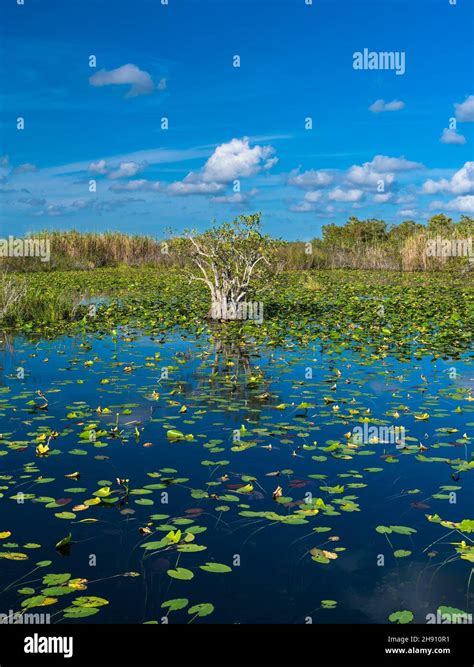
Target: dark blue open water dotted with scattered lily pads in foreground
x=274 y=578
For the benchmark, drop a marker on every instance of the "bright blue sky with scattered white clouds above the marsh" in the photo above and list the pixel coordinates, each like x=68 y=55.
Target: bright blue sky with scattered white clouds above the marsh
x=382 y=144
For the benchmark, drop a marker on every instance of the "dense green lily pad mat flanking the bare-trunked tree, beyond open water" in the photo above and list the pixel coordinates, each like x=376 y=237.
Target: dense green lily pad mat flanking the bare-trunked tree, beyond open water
x=372 y=312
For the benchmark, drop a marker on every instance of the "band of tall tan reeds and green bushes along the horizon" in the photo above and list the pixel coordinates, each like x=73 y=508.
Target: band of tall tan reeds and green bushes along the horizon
x=358 y=244
